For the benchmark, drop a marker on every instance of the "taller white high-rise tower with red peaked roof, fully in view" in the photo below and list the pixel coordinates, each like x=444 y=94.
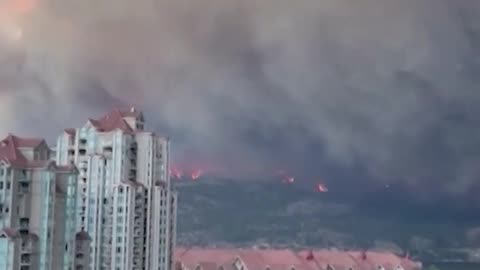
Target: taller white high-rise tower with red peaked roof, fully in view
x=127 y=204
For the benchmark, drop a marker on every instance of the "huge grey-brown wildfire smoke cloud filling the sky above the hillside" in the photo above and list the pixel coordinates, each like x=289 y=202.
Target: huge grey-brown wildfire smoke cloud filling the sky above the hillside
x=390 y=86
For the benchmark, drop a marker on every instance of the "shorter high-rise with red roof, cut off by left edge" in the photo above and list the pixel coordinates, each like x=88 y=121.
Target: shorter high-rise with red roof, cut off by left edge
x=37 y=209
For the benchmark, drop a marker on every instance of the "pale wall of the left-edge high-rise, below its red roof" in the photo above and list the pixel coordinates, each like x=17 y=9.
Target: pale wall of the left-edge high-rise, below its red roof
x=34 y=207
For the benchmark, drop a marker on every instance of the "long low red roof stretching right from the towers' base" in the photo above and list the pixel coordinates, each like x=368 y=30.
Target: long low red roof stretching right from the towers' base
x=286 y=259
